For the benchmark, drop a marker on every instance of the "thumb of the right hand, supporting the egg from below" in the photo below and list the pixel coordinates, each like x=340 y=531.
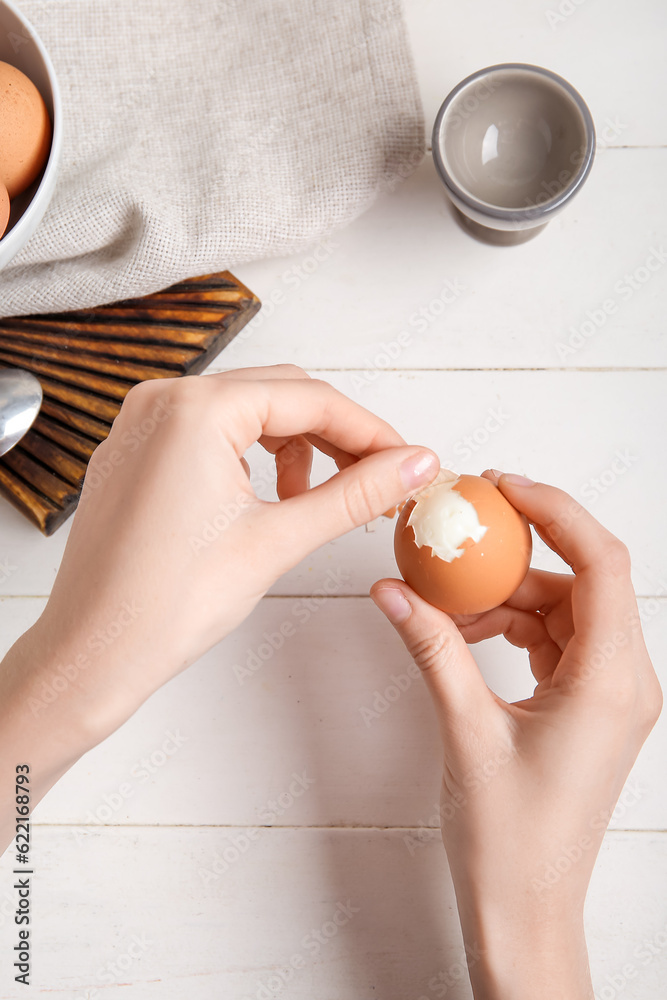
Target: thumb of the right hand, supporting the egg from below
x=439 y=650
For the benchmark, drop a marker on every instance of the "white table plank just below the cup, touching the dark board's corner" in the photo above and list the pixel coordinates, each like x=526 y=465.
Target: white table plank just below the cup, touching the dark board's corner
x=406 y=270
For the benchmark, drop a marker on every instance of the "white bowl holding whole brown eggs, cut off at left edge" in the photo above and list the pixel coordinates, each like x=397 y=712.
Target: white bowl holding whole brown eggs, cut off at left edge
x=21 y=46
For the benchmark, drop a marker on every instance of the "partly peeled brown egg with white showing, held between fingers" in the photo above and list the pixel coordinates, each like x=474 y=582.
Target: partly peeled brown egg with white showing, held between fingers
x=461 y=545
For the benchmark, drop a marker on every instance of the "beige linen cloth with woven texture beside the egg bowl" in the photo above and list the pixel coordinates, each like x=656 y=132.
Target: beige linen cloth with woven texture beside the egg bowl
x=203 y=133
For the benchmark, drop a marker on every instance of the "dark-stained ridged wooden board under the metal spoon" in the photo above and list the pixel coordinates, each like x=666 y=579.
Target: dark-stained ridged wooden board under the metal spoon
x=88 y=361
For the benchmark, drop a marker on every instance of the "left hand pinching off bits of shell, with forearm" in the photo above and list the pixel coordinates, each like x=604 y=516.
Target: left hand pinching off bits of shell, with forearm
x=171 y=549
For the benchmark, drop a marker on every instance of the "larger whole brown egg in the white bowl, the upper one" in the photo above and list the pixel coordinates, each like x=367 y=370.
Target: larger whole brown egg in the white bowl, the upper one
x=25 y=130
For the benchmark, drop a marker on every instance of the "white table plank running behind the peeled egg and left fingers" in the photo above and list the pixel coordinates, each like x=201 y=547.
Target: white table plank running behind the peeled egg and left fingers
x=611 y=411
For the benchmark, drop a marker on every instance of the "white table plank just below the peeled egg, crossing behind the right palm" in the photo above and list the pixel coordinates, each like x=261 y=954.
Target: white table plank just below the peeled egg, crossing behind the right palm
x=339 y=690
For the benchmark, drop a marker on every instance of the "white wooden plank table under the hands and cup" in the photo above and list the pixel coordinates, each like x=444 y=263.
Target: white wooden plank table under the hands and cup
x=256 y=838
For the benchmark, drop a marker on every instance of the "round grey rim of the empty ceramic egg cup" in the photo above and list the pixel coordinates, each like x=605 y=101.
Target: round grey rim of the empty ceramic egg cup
x=527 y=212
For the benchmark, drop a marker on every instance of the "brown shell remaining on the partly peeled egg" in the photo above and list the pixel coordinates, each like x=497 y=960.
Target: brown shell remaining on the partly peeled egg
x=488 y=572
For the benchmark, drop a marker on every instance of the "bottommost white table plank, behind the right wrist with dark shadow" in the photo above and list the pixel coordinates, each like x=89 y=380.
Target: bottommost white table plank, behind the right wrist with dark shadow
x=143 y=912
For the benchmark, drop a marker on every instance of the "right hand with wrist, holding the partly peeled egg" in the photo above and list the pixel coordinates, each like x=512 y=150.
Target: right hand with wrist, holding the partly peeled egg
x=529 y=788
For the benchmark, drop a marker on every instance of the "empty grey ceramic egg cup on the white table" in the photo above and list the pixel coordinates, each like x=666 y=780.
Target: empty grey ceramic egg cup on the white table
x=512 y=144
